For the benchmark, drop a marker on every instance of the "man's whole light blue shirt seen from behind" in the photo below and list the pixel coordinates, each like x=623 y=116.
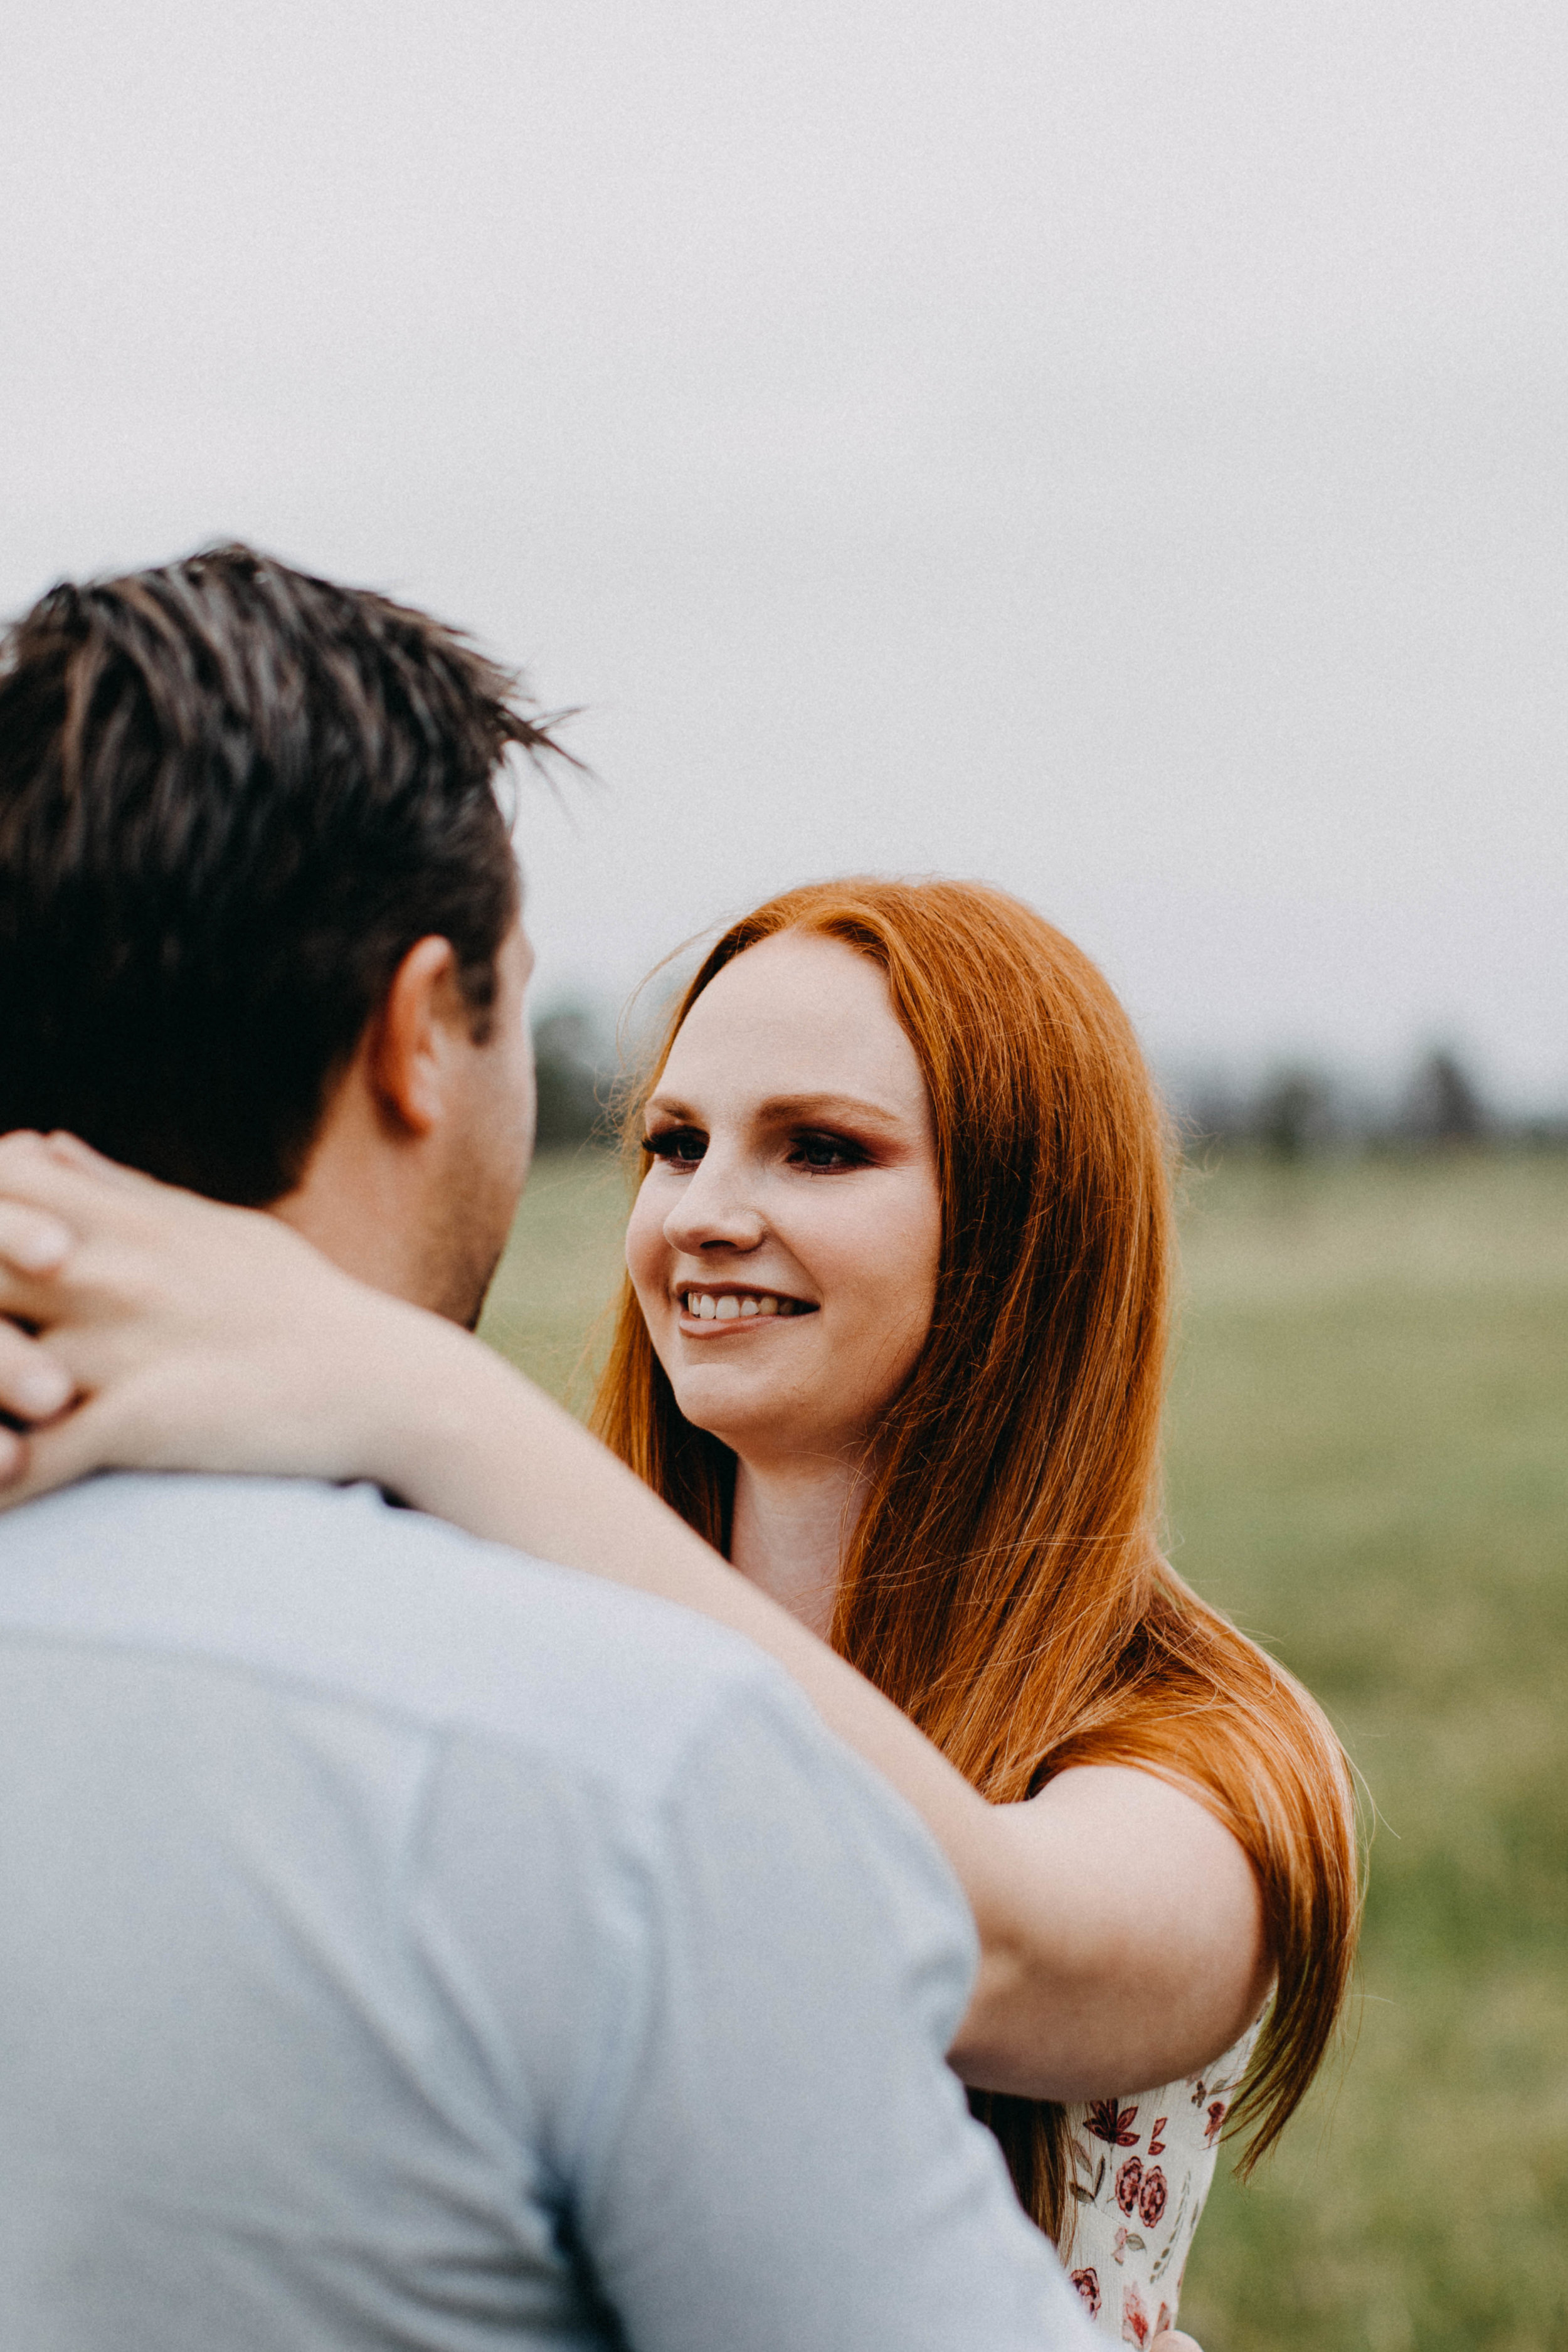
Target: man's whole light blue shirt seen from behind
x=408 y=1944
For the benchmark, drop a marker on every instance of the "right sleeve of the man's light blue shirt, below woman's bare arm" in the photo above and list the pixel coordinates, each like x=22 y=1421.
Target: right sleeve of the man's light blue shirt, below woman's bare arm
x=784 y=2156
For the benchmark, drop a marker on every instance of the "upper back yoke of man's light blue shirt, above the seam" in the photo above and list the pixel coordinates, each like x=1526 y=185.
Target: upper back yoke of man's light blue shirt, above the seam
x=347 y=1596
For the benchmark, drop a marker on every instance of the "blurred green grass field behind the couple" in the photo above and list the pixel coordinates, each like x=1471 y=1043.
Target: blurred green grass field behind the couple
x=1369 y=1471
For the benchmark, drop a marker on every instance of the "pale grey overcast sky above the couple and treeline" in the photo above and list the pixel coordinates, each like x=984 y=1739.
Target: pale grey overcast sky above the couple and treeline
x=1106 y=448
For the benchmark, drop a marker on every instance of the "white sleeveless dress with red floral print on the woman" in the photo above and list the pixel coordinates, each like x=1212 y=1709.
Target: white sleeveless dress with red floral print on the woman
x=1141 y=2172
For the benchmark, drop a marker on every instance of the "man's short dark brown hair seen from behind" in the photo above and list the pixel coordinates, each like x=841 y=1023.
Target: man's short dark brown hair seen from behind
x=232 y=801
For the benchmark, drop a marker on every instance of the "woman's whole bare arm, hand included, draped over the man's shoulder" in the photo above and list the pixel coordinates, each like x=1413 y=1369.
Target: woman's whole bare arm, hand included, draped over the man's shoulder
x=1120 y=1923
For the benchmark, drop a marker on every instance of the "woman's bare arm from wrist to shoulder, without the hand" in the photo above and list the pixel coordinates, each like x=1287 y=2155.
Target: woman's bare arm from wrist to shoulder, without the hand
x=1120 y=1923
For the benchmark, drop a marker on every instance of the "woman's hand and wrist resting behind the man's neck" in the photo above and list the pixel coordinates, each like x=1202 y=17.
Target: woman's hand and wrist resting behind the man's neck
x=180 y=1335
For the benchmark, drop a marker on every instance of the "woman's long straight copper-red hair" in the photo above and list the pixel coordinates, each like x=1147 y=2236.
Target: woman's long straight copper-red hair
x=1005 y=1582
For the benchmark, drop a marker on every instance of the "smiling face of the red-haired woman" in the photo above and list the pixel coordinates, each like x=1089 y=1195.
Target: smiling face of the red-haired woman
x=786 y=1238
